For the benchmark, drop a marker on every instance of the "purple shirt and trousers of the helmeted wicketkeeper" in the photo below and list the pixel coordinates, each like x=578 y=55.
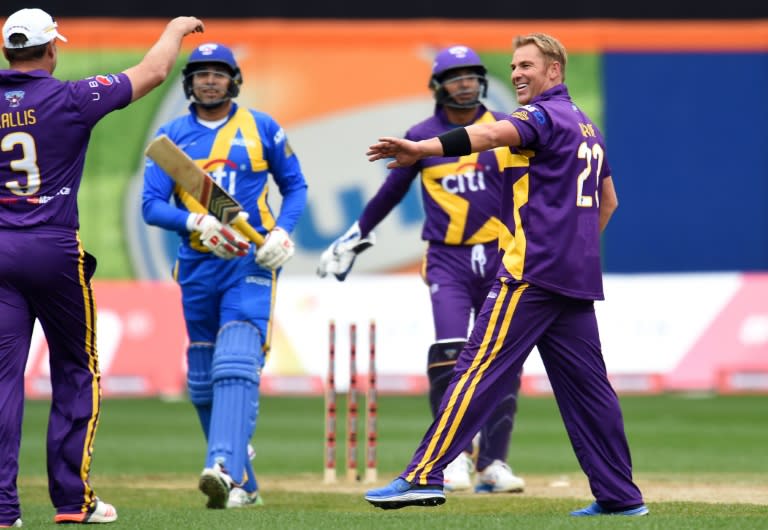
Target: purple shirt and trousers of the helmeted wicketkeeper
x=462 y=205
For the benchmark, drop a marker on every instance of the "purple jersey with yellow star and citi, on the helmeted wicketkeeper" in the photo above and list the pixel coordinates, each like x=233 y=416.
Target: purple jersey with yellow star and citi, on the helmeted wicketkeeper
x=460 y=194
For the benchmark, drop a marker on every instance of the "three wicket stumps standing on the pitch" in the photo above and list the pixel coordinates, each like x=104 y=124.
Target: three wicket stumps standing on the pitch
x=352 y=421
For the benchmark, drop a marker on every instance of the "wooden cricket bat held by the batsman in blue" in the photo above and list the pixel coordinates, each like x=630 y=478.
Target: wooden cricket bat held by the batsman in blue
x=203 y=190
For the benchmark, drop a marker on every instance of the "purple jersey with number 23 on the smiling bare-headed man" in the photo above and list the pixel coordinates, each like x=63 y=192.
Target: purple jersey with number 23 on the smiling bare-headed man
x=550 y=202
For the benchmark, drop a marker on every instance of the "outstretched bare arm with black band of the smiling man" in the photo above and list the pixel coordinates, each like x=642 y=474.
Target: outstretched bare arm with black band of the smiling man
x=458 y=142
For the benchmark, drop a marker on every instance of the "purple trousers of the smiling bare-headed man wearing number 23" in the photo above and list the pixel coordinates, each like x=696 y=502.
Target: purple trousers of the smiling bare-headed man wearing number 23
x=516 y=317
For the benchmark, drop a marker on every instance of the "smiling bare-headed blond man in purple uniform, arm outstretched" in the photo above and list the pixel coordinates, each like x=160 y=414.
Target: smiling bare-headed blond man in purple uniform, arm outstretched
x=558 y=196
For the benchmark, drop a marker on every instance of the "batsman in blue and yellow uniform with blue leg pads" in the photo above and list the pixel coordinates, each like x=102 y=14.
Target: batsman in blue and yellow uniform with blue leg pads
x=227 y=286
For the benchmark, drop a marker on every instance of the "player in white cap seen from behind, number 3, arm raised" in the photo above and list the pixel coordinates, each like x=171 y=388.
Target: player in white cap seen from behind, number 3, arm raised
x=45 y=273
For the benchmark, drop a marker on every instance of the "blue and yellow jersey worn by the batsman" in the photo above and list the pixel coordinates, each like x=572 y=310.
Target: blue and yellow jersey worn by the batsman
x=240 y=155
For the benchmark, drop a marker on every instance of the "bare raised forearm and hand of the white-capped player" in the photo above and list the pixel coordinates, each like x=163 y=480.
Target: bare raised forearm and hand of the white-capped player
x=157 y=63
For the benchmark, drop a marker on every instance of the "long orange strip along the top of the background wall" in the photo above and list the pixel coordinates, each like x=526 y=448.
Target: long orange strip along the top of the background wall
x=304 y=35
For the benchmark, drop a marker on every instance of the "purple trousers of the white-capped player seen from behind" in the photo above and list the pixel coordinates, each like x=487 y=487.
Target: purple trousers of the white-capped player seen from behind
x=45 y=275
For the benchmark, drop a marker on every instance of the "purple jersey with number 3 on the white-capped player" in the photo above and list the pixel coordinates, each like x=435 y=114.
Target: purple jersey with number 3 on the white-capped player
x=45 y=126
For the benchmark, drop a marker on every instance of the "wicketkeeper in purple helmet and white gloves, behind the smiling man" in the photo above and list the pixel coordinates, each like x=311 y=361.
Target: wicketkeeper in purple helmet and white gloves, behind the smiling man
x=461 y=197
